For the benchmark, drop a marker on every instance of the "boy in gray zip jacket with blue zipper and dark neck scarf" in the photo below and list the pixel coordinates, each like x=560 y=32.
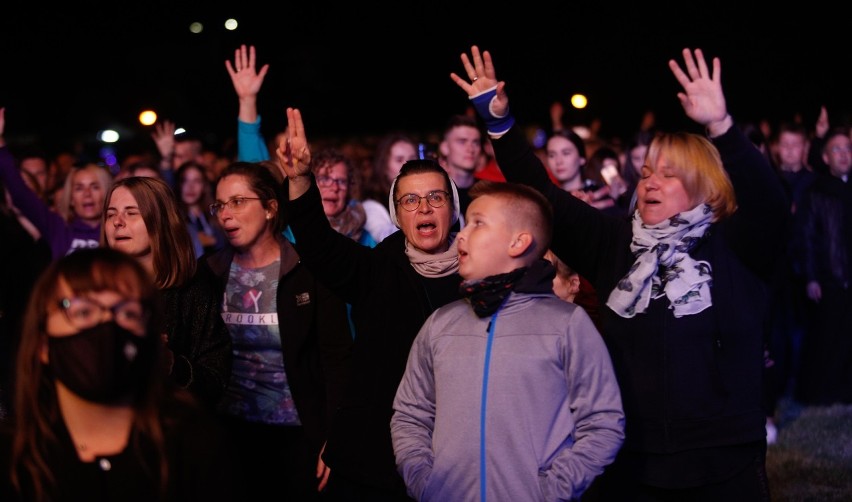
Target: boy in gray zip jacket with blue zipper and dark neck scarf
x=509 y=393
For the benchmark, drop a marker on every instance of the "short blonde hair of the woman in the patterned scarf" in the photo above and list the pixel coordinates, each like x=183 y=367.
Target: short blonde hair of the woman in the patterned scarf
x=698 y=165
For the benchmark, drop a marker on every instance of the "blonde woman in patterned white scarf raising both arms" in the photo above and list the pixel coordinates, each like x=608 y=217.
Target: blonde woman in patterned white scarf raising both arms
x=683 y=288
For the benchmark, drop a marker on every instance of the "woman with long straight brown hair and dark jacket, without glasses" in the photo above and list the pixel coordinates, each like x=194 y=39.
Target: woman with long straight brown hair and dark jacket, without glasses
x=142 y=219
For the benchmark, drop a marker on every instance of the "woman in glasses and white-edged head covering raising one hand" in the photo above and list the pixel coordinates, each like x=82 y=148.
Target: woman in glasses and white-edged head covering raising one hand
x=392 y=288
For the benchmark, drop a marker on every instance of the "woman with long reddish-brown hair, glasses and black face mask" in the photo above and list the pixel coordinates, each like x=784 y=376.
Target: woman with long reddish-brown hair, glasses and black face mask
x=93 y=418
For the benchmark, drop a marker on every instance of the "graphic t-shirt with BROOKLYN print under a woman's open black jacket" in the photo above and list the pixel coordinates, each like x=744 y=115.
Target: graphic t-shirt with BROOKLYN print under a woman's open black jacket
x=258 y=389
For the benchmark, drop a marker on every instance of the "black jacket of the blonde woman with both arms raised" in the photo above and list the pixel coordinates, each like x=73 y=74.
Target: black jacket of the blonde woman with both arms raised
x=693 y=382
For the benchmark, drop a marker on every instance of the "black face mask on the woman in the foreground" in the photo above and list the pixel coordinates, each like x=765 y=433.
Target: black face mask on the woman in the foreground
x=103 y=363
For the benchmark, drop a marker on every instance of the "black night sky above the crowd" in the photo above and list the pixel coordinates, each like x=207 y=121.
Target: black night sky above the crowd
x=362 y=69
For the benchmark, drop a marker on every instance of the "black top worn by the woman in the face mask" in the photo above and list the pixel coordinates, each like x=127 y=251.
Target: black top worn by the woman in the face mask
x=200 y=464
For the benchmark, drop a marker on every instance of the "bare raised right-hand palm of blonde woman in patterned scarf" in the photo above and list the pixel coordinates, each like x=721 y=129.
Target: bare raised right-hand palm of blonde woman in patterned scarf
x=702 y=97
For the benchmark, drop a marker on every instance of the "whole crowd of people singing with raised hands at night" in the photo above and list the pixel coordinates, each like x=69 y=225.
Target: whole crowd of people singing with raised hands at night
x=466 y=316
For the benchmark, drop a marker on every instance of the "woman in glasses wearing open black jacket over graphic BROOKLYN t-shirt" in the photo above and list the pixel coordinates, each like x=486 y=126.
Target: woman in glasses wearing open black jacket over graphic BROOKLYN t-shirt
x=290 y=337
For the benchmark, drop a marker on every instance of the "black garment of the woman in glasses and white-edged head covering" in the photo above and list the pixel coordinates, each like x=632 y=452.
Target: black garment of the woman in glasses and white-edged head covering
x=390 y=302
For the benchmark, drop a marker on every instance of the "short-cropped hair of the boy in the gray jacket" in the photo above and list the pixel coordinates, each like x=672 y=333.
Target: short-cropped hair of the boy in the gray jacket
x=529 y=208
